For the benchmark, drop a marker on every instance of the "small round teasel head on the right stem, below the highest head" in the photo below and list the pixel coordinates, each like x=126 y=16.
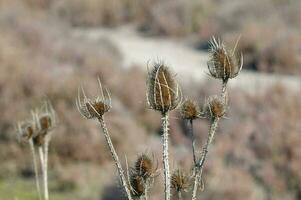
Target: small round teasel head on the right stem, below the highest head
x=215 y=107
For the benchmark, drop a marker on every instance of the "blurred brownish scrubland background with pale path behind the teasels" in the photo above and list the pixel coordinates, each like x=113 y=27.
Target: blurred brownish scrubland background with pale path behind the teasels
x=48 y=48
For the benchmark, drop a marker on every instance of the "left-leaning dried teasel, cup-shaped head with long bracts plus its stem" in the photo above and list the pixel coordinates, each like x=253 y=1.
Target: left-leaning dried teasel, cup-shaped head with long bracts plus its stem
x=96 y=109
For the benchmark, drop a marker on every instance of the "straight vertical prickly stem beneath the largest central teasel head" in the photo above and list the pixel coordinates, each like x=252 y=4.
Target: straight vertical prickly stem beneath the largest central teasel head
x=165 y=127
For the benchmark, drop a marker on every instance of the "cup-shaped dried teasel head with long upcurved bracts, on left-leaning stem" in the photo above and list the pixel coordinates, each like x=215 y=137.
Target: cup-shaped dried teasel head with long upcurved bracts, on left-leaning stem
x=94 y=108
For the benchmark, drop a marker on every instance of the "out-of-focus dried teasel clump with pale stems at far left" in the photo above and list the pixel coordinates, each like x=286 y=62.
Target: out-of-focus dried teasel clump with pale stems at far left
x=38 y=133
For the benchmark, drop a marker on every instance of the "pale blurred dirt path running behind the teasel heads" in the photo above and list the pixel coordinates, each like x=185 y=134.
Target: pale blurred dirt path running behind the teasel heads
x=188 y=62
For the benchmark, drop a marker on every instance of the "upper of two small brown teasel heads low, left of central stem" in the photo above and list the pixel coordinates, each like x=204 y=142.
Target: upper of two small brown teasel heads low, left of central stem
x=144 y=166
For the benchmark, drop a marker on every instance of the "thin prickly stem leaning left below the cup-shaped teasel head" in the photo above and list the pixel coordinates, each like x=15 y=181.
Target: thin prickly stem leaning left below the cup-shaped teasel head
x=115 y=157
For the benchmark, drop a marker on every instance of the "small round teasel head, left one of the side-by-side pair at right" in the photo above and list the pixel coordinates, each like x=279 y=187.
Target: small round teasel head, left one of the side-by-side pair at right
x=190 y=110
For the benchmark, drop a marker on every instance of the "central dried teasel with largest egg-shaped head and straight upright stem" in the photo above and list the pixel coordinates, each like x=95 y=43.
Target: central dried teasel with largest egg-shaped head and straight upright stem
x=163 y=95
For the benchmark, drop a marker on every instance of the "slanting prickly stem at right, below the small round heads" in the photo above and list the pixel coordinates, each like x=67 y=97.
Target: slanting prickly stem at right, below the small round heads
x=199 y=168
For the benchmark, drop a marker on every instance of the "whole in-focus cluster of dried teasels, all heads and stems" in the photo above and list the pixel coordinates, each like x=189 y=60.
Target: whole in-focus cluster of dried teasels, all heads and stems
x=164 y=95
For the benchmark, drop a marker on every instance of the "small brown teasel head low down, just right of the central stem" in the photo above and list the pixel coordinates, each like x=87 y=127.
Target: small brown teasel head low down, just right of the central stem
x=180 y=181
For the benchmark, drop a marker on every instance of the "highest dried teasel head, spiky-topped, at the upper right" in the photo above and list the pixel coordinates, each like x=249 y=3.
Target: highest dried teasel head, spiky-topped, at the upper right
x=223 y=64
